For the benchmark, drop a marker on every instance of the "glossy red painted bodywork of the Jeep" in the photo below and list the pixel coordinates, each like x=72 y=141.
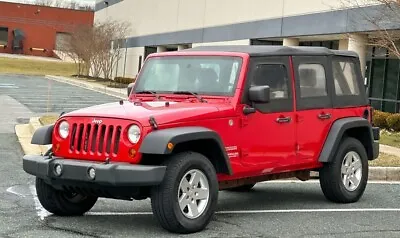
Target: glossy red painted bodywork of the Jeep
x=256 y=144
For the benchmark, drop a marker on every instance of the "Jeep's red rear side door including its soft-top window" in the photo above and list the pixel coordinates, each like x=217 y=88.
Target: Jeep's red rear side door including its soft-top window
x=313 y=104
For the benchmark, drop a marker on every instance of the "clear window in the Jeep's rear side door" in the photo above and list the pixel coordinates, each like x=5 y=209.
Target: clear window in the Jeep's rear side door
x=312 y=80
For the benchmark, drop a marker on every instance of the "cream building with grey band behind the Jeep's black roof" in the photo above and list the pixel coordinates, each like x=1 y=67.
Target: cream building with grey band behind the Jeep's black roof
x=165 y=25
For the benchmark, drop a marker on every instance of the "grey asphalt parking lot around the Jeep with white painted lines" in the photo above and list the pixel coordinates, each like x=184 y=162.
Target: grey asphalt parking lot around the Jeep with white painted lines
x=273 y=209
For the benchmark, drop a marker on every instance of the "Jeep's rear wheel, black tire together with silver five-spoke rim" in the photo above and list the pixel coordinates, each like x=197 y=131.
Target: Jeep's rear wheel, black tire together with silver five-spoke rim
x=344 y=179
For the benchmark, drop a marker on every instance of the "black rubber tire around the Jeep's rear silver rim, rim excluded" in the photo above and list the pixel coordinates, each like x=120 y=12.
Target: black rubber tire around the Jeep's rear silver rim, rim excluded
x=331 y=177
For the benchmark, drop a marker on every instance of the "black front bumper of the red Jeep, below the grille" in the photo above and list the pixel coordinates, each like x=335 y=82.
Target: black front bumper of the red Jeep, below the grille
x=110 y=175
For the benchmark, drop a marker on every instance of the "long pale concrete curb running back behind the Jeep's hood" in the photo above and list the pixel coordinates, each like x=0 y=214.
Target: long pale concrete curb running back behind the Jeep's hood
x=91 y=86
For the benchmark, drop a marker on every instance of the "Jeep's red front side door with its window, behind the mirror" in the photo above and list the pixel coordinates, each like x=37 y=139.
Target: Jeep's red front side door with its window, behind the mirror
x=268 y=134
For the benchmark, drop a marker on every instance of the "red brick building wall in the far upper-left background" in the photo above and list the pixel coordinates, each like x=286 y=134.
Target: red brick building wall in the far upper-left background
x=40 y=25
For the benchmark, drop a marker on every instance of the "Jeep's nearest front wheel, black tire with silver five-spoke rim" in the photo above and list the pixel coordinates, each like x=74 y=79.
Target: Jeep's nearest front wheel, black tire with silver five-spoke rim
x=186 y=199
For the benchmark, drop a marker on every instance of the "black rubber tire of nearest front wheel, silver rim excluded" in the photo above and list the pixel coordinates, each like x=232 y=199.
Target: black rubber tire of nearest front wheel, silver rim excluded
x=164 y=197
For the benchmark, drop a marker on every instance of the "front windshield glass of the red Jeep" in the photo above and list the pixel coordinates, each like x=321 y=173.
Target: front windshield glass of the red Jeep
x=207 y=75
